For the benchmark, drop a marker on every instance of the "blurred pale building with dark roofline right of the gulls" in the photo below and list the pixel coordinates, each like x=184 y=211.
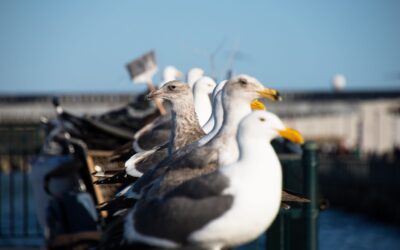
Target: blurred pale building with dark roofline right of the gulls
x=369 y=121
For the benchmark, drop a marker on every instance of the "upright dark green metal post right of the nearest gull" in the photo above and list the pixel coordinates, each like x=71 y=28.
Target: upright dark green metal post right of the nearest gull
x=310 y=163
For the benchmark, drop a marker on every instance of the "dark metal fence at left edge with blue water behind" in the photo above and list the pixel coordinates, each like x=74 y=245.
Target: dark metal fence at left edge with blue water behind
x=18 y=224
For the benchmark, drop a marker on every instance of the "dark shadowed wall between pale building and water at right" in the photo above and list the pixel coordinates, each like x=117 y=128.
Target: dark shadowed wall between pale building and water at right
x=369 y=185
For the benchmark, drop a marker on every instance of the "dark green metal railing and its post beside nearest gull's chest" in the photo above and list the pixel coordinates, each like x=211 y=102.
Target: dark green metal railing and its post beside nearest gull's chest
x=297 y=227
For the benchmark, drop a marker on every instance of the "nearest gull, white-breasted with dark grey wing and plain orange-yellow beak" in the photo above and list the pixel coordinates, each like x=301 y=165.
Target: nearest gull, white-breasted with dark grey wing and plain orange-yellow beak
x=224 y=209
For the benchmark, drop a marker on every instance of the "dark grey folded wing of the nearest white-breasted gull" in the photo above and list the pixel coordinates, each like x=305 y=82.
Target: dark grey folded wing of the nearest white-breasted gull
x=184 y=210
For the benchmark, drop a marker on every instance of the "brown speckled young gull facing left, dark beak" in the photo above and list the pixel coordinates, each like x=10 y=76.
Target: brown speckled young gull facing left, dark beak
x=185 y=129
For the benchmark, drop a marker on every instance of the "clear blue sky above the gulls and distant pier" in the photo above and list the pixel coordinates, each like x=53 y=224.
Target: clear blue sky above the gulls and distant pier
x=82 y=46
